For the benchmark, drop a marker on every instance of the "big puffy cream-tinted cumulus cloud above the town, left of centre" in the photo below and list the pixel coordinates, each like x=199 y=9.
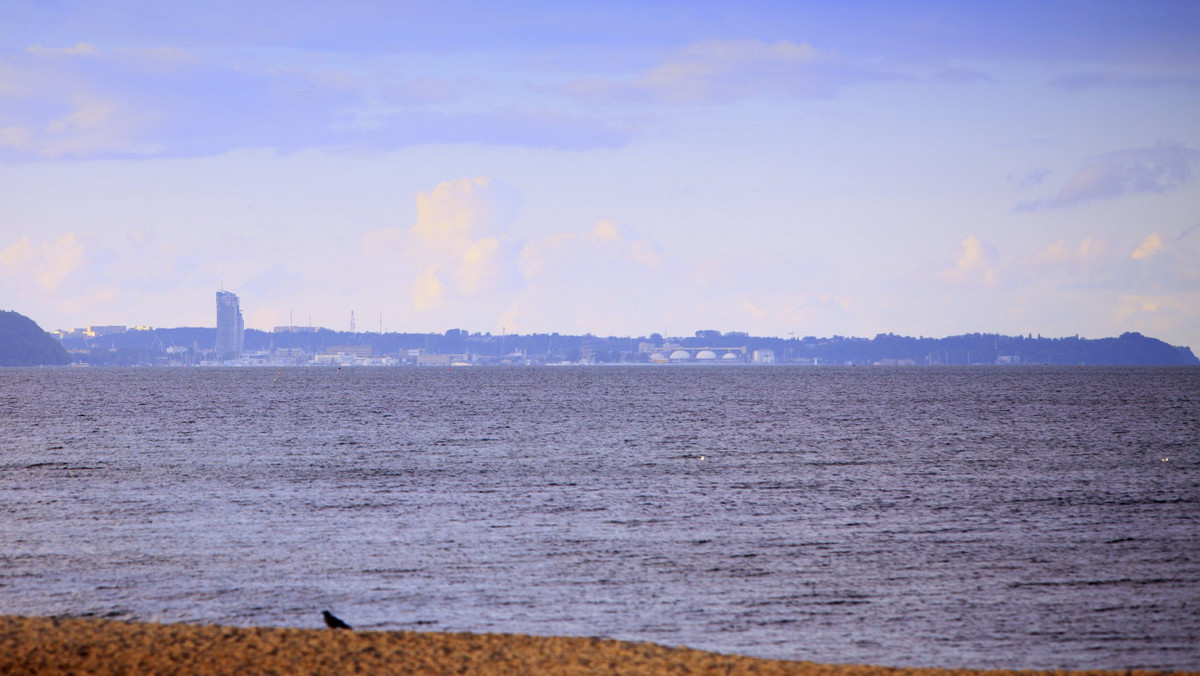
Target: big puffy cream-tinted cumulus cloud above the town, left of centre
x=460 y=260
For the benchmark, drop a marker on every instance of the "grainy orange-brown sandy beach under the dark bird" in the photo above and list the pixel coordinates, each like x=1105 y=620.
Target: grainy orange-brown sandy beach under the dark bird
x=44 y=645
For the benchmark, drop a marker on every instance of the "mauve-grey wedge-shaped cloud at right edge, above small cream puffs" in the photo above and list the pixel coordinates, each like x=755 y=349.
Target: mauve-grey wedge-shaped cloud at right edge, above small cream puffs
x=1125 y=172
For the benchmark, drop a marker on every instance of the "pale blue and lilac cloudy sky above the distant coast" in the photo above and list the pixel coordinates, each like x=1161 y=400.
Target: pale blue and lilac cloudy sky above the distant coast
x=617 y=169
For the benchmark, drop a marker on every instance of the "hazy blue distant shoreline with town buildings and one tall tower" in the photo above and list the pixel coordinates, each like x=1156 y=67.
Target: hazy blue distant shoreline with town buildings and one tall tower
x=232 y=345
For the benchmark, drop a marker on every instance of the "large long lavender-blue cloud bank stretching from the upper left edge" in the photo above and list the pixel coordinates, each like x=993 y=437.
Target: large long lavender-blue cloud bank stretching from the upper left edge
x=92 y=103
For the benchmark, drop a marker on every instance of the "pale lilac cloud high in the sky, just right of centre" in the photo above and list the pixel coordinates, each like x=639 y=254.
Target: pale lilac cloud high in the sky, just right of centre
x=723 y=71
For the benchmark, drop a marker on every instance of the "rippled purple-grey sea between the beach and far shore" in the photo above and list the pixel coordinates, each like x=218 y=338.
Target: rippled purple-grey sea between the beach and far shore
x=1025 y=517
